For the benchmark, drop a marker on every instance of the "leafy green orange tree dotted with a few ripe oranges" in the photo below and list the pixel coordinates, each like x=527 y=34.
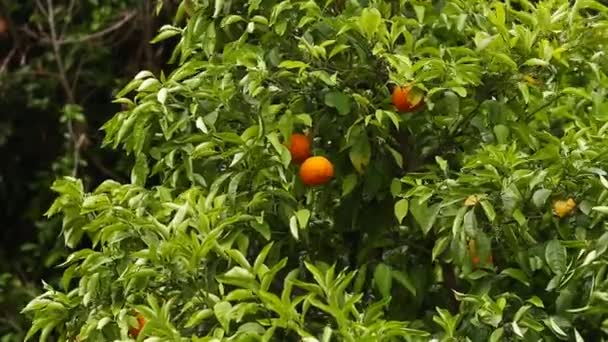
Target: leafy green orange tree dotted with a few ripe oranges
x=474 y=212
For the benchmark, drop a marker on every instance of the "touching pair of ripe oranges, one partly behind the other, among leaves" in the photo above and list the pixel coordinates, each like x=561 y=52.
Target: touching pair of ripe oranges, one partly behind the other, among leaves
x=314 y=170
